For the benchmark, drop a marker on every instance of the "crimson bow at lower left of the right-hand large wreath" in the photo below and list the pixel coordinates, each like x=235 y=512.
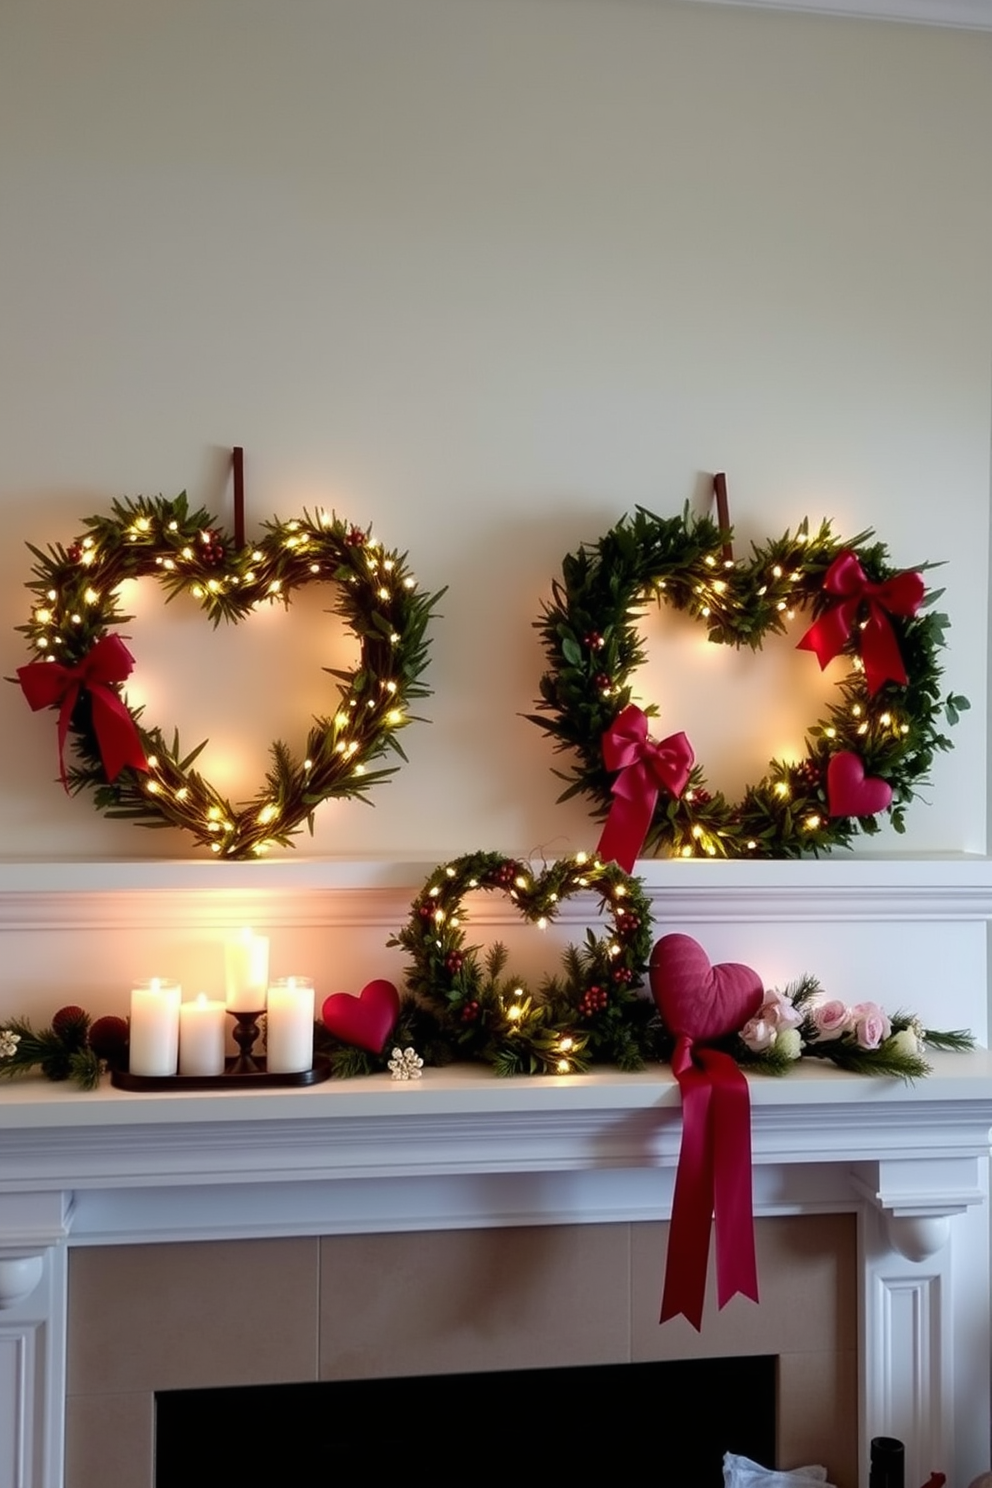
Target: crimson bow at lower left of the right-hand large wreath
x=645 y=770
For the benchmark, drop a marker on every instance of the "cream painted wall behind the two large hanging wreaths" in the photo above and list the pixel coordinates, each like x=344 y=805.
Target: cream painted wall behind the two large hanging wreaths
x=486 y=273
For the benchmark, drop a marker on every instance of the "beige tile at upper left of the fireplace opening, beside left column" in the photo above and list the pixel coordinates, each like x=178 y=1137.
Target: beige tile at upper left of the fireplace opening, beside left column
x=169 y=1318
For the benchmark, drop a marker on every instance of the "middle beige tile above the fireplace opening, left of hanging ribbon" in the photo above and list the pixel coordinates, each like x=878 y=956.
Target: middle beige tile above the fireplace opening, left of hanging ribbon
x=474 y=1300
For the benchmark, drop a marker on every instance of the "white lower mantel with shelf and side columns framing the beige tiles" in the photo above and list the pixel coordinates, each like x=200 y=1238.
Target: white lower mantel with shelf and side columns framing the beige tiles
x=462 y=1149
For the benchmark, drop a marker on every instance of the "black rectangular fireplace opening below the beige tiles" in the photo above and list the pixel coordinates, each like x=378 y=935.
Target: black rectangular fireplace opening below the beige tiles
x=670 y=1420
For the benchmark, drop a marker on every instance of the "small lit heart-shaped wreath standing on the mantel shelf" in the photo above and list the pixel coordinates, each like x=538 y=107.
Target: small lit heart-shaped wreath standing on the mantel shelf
x=478 y=1011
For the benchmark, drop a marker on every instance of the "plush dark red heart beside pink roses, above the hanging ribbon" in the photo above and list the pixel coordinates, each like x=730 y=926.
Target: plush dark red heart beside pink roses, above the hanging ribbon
x=698 y=1001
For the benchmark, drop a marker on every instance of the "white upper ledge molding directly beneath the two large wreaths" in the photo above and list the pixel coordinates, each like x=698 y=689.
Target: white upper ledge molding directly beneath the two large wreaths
x=355 y=895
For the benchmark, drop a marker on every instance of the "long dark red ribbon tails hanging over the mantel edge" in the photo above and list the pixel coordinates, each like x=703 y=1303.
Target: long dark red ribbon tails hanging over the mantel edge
x=713 y=1181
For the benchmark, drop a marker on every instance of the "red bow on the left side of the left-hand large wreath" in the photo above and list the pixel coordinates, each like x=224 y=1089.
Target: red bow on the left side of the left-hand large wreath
x=50 y=684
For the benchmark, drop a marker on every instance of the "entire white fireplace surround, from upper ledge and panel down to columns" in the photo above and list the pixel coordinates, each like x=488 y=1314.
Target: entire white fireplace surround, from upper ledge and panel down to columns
x=462 y=1152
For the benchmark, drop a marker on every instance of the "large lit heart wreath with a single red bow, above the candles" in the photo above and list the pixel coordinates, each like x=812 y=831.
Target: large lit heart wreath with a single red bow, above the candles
x=135 y=772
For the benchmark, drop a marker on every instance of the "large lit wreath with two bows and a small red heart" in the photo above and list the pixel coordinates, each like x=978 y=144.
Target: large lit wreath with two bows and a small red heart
x=869 y=755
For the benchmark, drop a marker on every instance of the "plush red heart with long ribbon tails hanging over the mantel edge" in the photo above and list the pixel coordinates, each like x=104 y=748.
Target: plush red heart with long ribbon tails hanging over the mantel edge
x=701 y=1004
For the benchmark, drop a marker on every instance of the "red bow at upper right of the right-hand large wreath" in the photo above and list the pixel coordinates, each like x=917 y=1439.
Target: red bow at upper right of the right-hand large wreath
x=901 y=596
